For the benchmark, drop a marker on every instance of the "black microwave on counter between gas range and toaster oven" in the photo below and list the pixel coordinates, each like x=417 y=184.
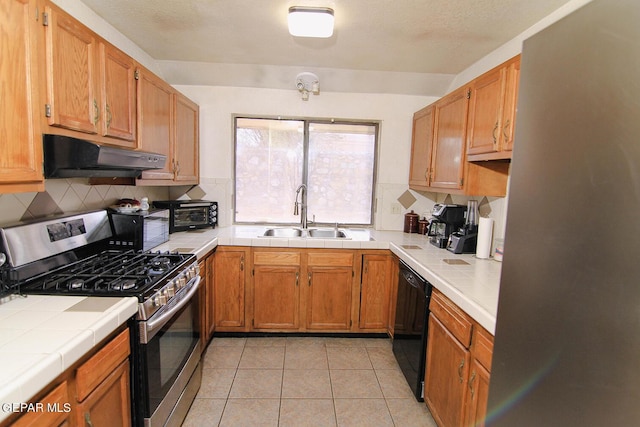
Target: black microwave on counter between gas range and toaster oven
x=142 y=230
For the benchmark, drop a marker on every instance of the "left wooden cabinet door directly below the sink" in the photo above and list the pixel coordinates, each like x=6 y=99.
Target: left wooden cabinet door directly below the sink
x=276 y=296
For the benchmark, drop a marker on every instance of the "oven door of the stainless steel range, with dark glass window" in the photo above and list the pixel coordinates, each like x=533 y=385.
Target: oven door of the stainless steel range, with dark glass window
x=168 y=363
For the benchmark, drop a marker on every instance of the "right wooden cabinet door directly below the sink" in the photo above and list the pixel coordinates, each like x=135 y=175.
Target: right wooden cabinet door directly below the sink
x=329 y=297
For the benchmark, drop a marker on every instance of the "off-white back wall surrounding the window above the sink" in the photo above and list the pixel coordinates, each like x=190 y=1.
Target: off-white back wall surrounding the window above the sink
x=394 y=112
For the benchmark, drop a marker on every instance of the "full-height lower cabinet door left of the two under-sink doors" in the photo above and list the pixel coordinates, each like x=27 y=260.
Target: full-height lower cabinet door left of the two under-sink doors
x=229 y=287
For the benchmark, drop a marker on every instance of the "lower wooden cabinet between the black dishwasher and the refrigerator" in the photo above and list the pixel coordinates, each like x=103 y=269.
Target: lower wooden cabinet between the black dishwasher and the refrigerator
x=458 y=366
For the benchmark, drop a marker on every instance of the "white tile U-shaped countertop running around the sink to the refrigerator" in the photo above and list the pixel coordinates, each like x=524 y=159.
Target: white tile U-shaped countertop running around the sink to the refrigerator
x=473 y=286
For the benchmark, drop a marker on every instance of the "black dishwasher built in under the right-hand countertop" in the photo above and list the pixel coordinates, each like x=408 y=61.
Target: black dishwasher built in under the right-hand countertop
x=410 y=330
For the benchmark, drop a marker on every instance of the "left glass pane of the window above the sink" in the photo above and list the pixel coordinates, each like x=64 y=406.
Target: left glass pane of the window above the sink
x=269 y=160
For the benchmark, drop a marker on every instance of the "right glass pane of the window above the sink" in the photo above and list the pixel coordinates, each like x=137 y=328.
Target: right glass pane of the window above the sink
x=340 y=172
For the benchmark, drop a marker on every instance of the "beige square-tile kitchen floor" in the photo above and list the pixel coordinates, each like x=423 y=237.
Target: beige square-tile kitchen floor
x=304 y=381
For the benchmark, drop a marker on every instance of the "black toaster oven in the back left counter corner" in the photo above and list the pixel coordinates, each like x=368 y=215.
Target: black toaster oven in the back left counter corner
x=189 y=214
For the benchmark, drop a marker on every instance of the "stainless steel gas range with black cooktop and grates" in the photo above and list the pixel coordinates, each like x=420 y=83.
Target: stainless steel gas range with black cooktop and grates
x=71 y=255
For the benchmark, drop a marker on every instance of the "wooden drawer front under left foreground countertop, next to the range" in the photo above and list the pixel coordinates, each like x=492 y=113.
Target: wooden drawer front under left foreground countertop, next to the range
x=96 y=369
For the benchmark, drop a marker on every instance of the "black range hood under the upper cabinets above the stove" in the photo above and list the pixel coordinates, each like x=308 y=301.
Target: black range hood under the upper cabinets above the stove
x=66 y=157
